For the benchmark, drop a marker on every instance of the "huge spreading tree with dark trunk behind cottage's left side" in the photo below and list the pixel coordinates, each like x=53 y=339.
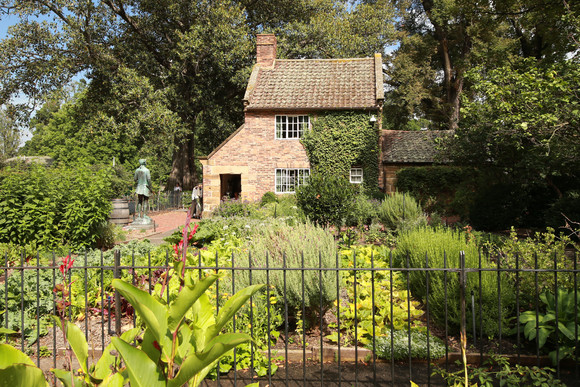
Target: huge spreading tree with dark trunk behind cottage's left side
x=199 y=53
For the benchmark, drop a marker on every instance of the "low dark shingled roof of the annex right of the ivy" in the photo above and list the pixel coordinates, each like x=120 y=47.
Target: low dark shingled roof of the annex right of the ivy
x=411 y=146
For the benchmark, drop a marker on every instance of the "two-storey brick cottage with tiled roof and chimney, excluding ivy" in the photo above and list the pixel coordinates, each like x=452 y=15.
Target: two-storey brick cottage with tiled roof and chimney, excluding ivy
x=282 y=99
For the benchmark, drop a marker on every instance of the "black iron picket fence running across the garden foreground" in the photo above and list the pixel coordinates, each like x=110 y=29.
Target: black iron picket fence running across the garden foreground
x=336 y=324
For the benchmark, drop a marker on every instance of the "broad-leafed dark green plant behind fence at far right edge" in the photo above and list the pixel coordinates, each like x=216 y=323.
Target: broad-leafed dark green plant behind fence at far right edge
x=567 y=314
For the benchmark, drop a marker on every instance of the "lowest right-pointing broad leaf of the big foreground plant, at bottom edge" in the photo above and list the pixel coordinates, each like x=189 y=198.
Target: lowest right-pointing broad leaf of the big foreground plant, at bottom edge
x=216 y=348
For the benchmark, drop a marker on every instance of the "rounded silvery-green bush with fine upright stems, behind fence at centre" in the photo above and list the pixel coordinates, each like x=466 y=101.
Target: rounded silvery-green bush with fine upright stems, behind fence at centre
x=293 y=243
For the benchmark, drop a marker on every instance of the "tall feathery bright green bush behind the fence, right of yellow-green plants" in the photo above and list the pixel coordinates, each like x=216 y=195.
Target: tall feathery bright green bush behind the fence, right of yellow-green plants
x=437 y=244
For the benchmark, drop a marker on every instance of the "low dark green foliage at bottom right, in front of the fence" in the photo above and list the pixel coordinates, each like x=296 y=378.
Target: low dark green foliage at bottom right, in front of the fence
x=497 y=369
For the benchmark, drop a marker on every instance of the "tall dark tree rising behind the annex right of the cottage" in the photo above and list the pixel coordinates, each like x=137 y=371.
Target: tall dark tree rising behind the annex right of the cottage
x=442 y=39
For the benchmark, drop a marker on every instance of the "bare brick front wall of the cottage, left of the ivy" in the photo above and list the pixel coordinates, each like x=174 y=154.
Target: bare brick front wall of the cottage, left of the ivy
x=254 y=153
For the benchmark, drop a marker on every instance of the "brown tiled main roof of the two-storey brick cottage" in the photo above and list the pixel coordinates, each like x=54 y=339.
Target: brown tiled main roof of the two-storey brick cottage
x=316 y=84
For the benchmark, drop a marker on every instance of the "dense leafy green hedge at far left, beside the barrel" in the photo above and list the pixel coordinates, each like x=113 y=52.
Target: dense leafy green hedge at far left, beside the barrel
x=53 y=206
